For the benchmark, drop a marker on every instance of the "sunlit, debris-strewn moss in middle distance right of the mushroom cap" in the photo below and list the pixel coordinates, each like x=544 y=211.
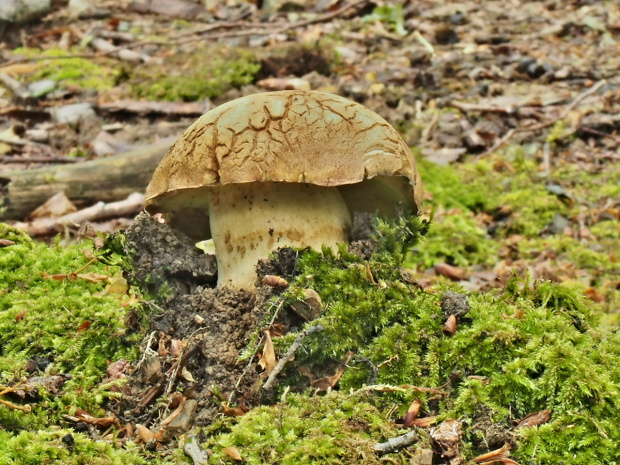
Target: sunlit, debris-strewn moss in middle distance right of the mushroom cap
x=498 y=213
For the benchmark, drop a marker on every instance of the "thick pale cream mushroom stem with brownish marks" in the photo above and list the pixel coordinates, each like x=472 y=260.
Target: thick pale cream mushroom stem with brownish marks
x=251 y=220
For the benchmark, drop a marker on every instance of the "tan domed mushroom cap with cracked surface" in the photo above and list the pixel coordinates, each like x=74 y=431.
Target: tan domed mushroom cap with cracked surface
x=288 y=136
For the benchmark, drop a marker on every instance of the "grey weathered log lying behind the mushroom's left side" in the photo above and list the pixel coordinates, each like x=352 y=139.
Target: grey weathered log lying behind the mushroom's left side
x=104 y=179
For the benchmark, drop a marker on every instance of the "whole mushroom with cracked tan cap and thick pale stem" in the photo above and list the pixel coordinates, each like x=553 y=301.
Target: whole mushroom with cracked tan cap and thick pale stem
x=281 y=169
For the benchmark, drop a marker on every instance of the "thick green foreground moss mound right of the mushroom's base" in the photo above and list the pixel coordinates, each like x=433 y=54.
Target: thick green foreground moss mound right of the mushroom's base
x=526 y=349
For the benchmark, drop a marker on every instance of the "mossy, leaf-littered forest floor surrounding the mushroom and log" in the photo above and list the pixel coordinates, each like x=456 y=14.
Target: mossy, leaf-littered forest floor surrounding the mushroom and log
x=511 y=109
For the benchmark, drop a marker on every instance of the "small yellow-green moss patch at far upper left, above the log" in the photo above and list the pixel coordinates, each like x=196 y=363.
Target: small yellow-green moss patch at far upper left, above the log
x=86 y=73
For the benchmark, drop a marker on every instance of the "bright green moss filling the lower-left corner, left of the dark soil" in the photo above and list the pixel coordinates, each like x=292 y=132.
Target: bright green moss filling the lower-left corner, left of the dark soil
x=53 y=322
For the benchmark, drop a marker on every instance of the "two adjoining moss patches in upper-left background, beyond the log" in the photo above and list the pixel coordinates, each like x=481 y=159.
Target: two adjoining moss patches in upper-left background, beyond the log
x=206 y=72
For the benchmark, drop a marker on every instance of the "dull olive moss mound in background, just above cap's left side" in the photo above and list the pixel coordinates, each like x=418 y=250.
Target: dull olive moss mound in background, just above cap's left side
x=205 y=73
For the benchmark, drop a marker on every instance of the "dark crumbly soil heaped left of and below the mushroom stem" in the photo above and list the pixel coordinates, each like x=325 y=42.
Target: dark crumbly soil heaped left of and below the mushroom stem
x=195 y=337
